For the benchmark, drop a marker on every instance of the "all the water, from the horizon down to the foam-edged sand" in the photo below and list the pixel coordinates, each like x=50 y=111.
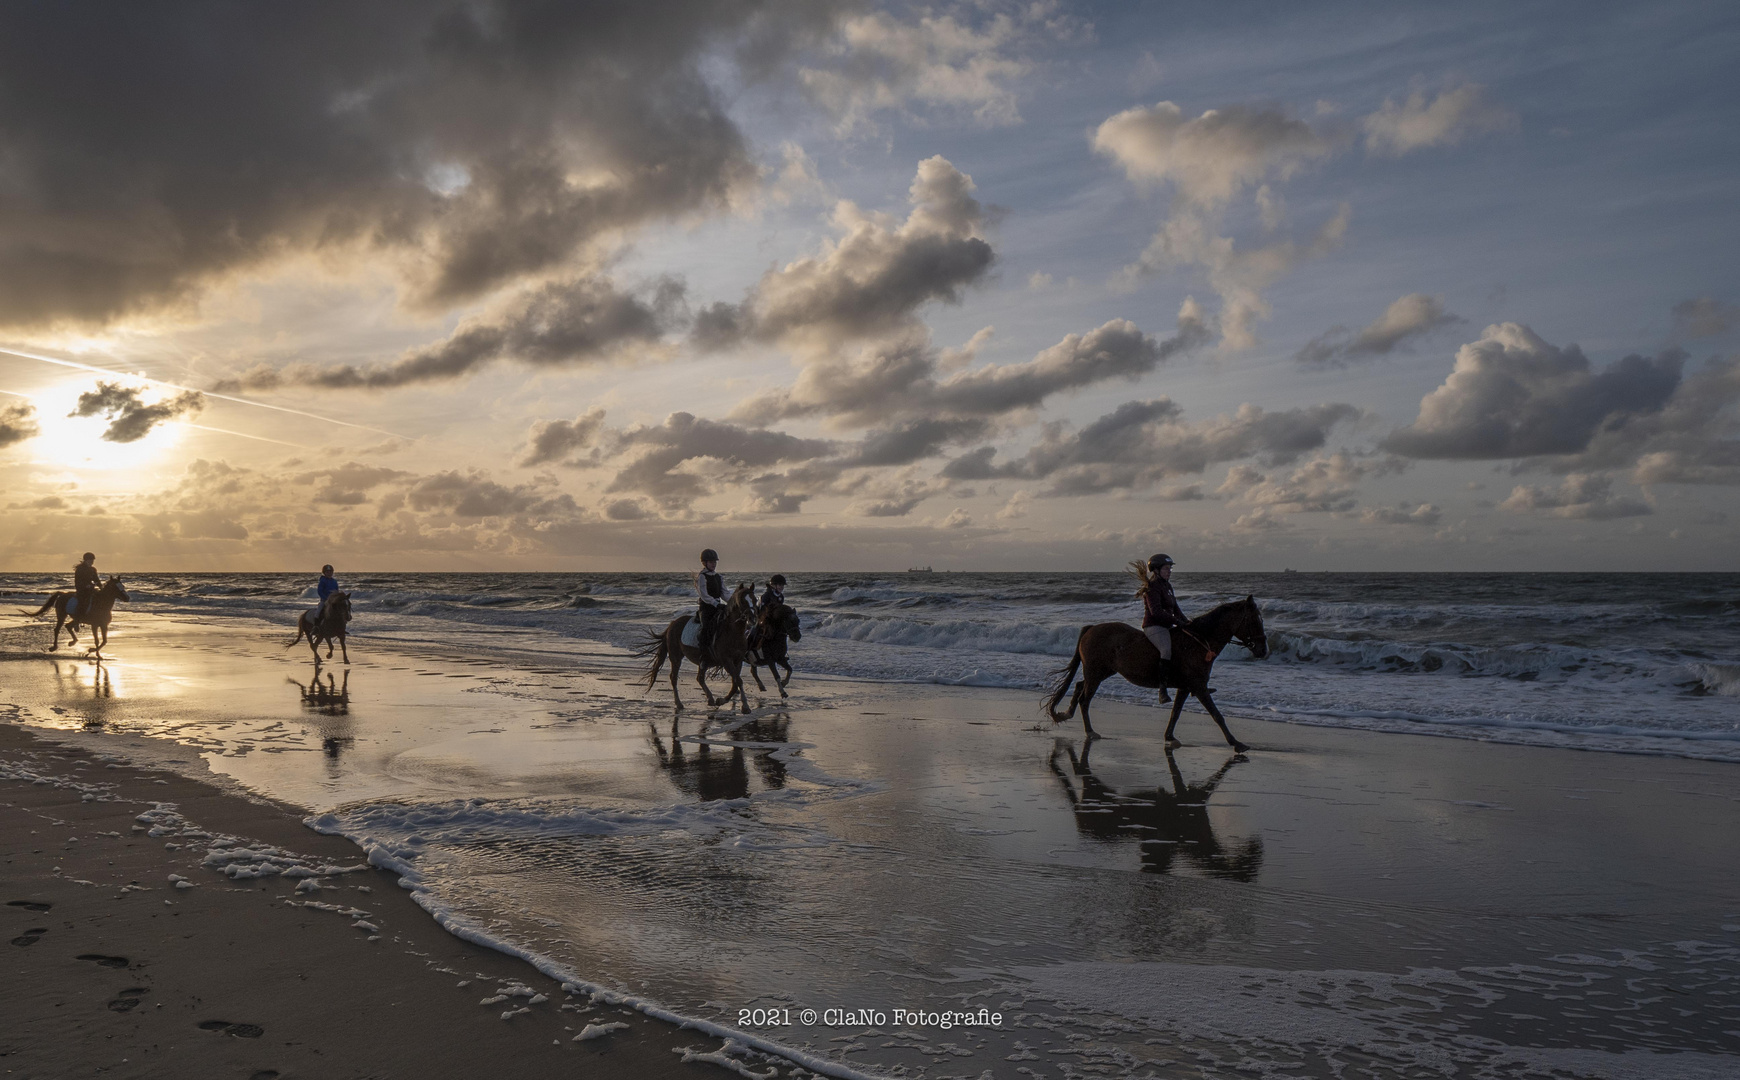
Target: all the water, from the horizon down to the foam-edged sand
x=1123 y=910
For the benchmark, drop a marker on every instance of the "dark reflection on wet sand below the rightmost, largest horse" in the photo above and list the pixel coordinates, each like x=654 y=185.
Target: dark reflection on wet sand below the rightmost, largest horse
x=1168 y=825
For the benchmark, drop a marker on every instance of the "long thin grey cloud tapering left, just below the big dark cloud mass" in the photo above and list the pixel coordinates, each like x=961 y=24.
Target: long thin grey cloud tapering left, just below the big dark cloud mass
x=556 y=324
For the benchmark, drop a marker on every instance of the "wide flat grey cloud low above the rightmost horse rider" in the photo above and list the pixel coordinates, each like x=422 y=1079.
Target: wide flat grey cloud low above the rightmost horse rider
x=1141 y=444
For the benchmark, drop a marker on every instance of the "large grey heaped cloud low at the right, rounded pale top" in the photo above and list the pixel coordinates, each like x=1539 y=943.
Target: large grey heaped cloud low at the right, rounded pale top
x=1515 y=396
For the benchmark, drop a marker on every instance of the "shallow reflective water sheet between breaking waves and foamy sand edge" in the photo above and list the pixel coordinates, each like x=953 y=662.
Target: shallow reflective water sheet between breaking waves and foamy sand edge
x=1335 y=905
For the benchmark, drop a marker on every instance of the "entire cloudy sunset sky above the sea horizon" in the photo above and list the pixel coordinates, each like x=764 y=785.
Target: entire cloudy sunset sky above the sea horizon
x=552 y=286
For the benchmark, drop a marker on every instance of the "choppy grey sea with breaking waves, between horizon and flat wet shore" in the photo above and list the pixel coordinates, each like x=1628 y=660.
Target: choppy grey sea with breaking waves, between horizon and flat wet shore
x=1635 y=663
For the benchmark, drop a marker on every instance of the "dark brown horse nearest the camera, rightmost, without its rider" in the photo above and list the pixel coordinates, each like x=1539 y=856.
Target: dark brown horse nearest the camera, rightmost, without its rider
x=1113 y=650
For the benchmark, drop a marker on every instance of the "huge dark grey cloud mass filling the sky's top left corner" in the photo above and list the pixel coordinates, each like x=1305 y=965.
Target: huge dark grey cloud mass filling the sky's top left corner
x=154 y=149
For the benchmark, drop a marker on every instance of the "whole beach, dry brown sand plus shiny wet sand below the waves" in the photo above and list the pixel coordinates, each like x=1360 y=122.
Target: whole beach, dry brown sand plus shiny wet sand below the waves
x=1334 y=903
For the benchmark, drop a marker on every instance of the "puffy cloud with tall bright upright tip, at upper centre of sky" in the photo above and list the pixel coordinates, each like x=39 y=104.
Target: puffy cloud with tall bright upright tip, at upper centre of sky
x=873 y=279
